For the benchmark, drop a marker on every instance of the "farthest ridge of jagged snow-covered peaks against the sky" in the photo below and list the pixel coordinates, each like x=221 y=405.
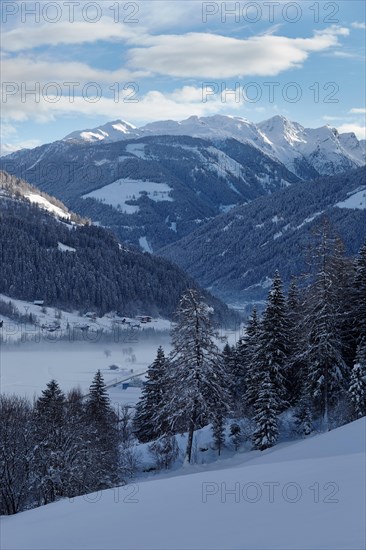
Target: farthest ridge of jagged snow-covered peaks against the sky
x=305 y=151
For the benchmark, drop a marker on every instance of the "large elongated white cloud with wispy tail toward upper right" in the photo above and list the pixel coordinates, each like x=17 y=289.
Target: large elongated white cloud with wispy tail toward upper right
x=217 y=56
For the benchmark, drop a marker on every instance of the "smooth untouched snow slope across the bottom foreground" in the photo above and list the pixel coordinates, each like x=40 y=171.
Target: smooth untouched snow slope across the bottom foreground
x=303 y=495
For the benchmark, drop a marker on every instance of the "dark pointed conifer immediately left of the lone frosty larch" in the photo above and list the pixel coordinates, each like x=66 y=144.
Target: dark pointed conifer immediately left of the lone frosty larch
x=149 y=422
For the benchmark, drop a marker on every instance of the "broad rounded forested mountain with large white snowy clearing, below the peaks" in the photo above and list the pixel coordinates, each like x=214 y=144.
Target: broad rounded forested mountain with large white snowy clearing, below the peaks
x=154 y=190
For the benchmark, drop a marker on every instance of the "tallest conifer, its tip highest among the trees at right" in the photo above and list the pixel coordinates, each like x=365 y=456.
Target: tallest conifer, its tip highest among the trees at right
x=322 y=345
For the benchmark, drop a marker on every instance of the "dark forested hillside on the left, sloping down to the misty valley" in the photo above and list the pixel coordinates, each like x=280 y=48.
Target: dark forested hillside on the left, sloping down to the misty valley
x=81 y=266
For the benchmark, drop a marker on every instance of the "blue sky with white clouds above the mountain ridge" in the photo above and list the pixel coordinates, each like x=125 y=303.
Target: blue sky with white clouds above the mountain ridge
x=91 y=62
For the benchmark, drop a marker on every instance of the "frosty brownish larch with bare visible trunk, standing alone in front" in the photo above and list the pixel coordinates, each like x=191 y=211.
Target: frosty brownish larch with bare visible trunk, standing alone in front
x=198 y=383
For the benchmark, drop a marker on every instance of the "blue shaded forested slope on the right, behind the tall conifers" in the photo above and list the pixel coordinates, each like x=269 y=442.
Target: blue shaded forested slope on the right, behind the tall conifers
x=236 y=254
